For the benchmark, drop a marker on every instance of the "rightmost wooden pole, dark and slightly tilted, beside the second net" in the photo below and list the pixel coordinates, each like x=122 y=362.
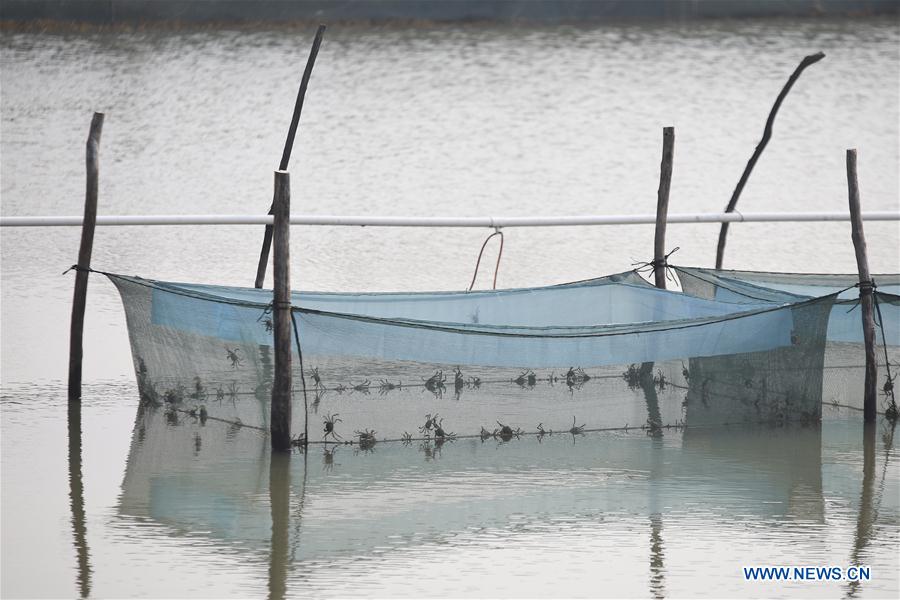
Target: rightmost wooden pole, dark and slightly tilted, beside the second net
x=866 y=291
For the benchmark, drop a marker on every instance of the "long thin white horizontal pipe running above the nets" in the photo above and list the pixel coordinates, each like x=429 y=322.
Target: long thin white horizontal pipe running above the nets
x=363 y=221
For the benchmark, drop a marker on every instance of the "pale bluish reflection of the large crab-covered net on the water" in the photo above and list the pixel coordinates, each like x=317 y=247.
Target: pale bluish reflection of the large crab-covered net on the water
x=341 y=501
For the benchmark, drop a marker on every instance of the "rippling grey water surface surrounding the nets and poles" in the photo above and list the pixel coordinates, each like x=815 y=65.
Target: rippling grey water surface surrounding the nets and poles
x=429 y=121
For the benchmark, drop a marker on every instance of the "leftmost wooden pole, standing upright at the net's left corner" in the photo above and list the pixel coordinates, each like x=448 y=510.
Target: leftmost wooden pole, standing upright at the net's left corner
x=79 y=299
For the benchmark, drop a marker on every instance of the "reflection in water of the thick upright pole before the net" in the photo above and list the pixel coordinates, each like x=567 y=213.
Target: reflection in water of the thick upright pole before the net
x=280 y=502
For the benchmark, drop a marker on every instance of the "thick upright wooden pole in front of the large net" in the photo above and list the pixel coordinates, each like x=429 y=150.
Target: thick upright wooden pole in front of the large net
x=280 y=421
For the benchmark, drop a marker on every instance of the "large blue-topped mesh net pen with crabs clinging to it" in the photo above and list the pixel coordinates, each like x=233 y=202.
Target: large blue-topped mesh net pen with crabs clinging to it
x=599 y=354
